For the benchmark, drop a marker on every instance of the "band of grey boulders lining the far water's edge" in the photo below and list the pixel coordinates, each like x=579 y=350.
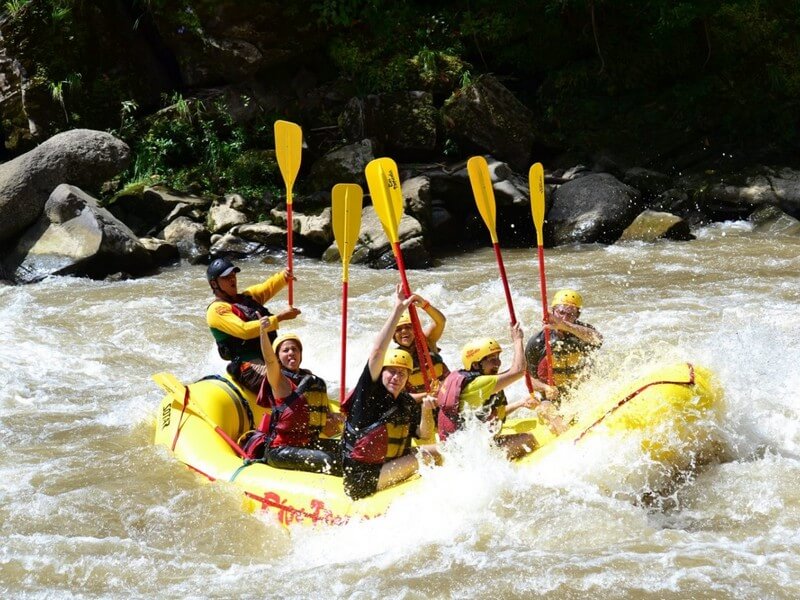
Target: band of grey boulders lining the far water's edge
x=54 y=224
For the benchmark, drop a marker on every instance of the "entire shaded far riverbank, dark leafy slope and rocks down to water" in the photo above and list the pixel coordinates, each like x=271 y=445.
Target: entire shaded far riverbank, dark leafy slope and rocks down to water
x=142 y=133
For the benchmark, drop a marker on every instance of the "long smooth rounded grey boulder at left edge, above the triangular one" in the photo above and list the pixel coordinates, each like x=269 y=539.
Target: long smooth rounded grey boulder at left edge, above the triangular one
x=80 y=157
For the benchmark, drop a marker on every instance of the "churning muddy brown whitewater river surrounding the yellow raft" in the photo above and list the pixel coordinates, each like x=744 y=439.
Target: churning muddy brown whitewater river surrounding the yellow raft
x=89 y=508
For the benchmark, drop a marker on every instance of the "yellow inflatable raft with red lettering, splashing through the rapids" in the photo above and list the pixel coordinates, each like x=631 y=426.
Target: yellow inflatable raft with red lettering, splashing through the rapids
x=194 y=421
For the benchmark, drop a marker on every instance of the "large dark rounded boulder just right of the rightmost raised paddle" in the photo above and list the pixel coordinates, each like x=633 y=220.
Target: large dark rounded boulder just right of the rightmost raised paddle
x=594 y=208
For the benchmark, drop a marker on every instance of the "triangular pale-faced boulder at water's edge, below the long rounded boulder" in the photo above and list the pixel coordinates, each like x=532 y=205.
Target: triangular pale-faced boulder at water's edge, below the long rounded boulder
x=75 y=236
